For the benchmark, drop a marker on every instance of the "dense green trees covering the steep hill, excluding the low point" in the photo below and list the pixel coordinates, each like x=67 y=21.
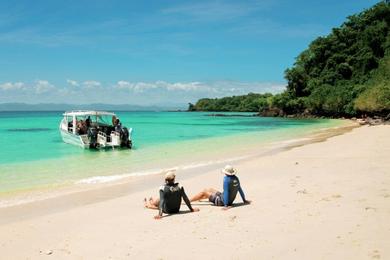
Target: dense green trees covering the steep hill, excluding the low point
x=333 y=73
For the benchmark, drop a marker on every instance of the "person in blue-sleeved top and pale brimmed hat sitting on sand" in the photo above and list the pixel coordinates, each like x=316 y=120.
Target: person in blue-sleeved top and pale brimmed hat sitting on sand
x=231 y=185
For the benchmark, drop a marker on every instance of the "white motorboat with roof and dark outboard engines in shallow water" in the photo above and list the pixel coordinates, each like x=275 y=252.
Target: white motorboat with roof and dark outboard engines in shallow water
x=94 y=129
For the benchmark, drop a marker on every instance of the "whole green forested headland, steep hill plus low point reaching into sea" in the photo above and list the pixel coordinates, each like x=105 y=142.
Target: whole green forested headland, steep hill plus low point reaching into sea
x=344 y=74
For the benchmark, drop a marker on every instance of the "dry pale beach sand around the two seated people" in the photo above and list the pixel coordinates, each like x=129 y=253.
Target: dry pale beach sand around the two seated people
x=326 y=200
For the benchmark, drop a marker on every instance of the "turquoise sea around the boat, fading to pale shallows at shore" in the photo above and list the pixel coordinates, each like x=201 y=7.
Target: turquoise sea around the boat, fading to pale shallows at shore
x=33 y=154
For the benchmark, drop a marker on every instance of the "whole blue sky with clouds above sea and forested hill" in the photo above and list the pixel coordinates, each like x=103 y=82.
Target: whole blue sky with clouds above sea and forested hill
x=155 y=52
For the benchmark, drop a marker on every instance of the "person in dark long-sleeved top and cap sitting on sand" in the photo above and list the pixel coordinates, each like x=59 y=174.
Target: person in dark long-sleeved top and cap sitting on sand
x=171 y=194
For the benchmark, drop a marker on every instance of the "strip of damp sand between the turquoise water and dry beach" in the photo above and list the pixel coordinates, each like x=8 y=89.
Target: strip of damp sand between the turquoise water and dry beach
x=44 y=201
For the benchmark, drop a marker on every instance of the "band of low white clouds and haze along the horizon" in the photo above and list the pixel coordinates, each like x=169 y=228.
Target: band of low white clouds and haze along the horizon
x=141 y=93
